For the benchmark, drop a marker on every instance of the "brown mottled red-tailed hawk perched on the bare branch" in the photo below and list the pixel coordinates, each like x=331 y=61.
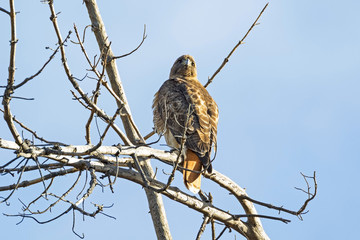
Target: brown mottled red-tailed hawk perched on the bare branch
x=181 y=94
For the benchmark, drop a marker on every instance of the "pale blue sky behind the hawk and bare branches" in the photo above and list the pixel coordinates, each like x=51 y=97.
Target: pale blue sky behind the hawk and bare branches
x=289 y=103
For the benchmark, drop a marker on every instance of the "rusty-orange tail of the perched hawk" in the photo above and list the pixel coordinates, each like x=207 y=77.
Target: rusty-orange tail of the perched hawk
x=192 y=180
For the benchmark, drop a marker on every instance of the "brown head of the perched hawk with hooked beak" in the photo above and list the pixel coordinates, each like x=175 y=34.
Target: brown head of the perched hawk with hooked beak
x=184 y=67
